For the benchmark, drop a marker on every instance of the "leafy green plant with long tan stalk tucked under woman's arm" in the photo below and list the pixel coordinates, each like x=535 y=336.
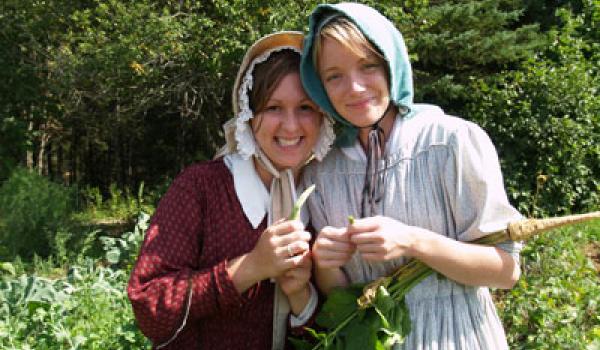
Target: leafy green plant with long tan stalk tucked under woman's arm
x=374 y=316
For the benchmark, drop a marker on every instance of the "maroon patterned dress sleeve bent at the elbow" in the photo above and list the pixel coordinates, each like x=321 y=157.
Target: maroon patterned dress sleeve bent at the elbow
x=167 y=267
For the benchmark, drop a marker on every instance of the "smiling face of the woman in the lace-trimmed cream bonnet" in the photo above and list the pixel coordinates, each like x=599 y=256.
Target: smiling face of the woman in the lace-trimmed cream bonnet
x=288 y=126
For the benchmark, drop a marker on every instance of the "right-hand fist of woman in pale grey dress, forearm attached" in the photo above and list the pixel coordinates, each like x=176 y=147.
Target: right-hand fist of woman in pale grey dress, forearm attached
x=381 y=238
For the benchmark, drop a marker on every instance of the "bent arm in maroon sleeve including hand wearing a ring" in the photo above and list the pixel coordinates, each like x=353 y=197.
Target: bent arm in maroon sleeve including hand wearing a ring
x=169 y=263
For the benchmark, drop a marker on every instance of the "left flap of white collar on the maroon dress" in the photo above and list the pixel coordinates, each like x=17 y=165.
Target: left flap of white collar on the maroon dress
x=249 y=188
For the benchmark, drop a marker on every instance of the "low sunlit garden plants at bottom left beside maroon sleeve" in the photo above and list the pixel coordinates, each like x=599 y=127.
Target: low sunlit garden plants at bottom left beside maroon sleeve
x=86 y=309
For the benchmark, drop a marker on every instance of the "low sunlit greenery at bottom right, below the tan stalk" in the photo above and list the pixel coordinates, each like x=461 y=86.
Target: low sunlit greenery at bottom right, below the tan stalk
x=555 y=303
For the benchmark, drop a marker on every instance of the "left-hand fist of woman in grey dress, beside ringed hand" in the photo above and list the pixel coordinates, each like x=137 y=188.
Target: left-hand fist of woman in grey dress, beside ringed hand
x=332 y=248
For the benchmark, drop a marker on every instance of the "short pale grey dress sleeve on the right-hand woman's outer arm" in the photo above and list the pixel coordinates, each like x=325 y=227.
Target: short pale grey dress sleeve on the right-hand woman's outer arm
x=475 y=188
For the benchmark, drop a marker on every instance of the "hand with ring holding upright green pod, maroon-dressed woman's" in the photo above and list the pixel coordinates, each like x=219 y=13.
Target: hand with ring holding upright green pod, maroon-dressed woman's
x=281 y=247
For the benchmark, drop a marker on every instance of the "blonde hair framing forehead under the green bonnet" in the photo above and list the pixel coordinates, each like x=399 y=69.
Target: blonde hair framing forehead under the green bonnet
x=344 y=31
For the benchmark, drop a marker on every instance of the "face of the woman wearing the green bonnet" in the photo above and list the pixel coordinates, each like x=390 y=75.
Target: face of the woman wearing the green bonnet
x=356 y=82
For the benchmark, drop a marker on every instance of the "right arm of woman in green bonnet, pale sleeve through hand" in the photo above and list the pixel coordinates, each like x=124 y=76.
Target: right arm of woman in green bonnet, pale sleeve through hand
x=478 y=203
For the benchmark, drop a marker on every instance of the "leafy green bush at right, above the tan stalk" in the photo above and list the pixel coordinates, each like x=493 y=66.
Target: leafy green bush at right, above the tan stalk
x=546 y=120
